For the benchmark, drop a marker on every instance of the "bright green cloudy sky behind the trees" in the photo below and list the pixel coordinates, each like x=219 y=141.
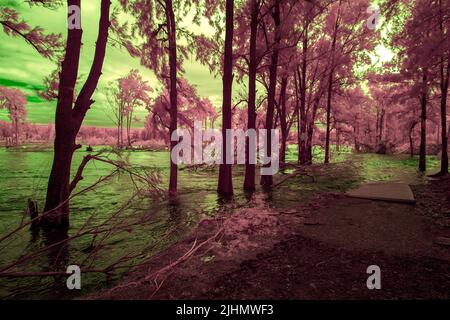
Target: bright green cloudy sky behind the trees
x=23 y=68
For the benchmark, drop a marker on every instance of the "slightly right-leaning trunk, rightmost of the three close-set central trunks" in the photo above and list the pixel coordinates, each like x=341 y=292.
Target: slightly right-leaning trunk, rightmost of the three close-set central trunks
x=266 y=180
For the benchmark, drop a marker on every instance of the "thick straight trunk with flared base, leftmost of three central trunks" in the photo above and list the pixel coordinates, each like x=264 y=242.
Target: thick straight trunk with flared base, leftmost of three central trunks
x=225 y=184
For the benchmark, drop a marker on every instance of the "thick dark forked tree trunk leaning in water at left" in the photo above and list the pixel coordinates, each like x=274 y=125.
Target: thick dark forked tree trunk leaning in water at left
x=68 y=120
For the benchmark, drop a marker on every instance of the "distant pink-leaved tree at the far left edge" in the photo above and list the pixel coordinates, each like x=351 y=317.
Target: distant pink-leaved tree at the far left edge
x=15 y=102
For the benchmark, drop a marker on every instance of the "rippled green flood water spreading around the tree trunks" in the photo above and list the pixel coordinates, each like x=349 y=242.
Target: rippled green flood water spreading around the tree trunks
x=24 y=175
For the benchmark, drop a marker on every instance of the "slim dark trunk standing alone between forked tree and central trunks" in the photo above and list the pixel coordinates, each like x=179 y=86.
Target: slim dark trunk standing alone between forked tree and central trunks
x=170 y=17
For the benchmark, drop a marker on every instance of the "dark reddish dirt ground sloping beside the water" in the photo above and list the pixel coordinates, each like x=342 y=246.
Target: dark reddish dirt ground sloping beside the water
x=305 y=253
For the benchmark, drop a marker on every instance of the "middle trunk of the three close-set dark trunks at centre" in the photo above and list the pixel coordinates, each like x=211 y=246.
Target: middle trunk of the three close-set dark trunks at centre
x=249 y=181
